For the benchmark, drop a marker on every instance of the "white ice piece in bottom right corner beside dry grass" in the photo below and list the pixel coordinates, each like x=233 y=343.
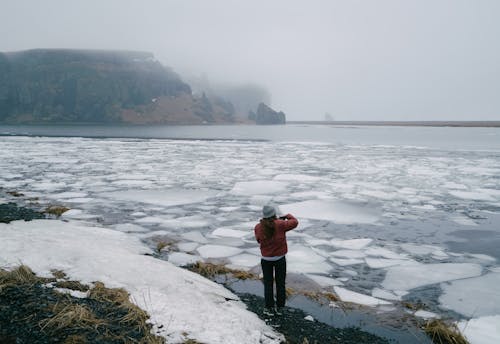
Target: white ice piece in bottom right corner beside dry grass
x=483 y=330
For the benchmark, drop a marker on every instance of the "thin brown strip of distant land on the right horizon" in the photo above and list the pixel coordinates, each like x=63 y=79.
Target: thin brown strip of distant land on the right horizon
x=485 y=124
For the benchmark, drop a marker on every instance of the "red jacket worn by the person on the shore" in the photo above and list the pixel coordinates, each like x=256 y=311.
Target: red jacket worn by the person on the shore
x=276 y=245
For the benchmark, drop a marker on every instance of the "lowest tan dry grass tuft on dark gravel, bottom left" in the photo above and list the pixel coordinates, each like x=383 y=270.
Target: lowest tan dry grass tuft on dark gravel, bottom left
x=71 y=315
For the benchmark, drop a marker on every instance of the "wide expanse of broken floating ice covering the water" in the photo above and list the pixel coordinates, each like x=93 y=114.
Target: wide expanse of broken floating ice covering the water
x=378 y=224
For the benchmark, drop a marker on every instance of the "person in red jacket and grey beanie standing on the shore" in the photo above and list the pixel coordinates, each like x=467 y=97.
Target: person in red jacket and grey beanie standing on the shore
x=270 y=234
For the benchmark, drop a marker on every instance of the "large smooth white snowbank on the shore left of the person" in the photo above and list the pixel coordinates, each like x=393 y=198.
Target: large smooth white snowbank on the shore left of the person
x=89 y=254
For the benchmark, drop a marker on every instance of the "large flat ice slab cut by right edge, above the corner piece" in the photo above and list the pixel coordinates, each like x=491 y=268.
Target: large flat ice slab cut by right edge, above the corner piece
x=478 y=296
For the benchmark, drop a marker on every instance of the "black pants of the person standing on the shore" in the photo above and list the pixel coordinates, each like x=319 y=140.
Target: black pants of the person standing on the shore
x=274 y=271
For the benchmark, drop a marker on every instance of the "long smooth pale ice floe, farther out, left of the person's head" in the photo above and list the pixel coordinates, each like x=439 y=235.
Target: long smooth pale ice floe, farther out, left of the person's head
x=167 y=197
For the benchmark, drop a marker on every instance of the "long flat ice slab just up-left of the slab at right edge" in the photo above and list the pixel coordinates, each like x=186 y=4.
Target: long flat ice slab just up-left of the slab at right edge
x=413 y=276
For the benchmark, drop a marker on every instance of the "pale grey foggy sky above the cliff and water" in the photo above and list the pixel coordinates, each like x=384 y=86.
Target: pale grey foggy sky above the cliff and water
x=357 y=60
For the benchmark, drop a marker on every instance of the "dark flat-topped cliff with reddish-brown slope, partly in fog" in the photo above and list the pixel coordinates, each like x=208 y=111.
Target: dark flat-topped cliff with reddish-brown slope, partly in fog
x=91 y=86
